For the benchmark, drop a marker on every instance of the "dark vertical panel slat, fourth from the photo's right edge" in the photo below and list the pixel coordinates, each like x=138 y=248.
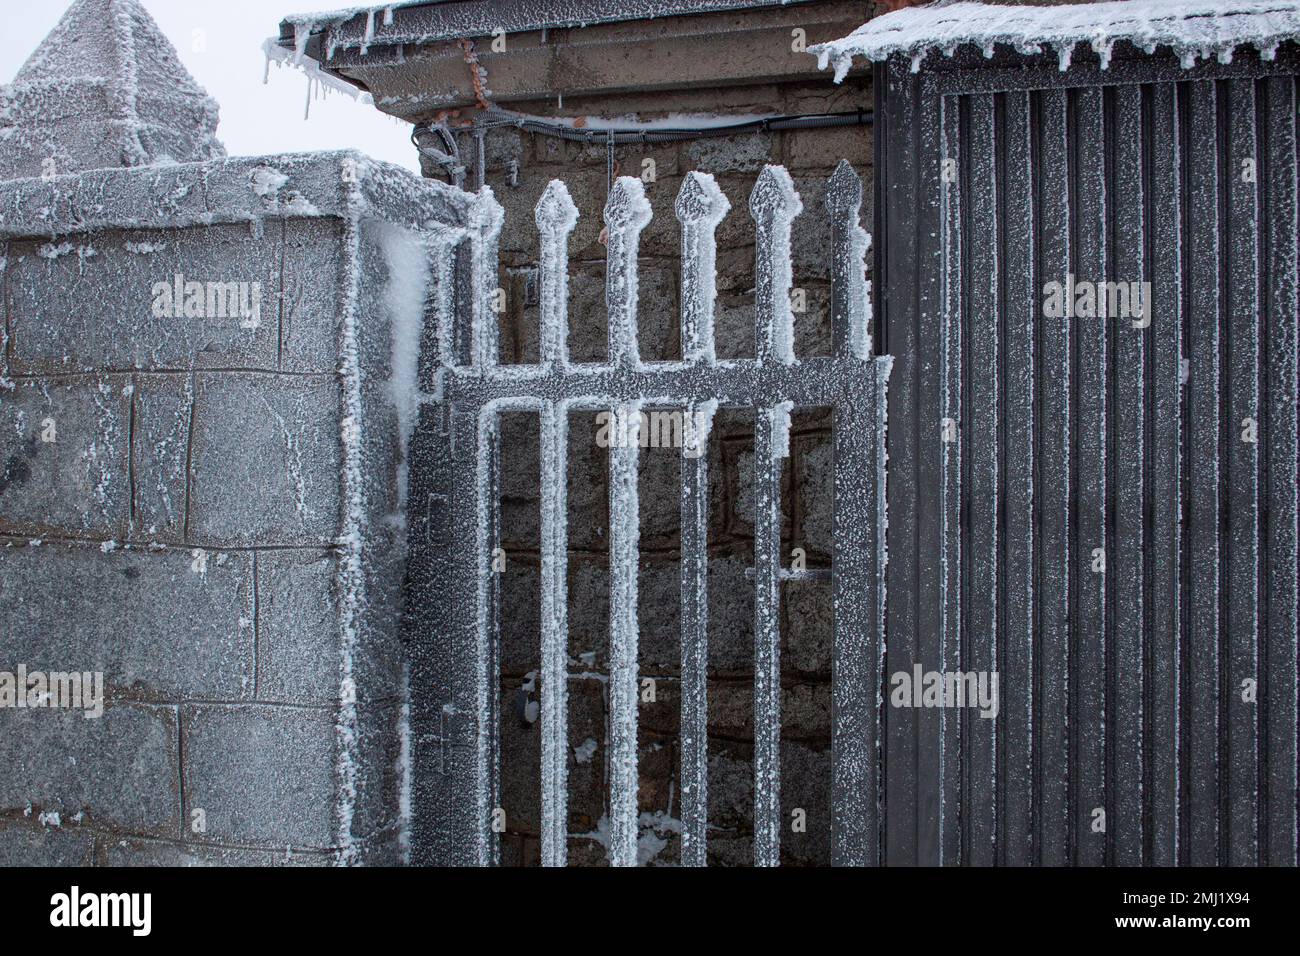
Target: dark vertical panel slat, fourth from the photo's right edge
x=1165 y=430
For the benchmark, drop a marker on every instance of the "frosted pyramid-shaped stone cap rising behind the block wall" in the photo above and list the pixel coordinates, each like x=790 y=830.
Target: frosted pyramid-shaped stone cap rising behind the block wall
x=105 y=90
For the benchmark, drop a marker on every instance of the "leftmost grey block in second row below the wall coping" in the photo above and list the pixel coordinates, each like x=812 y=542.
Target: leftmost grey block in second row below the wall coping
x=64 y=457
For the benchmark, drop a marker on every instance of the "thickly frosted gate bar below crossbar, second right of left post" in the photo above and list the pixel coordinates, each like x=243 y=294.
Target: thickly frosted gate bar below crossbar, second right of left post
x=625 y=546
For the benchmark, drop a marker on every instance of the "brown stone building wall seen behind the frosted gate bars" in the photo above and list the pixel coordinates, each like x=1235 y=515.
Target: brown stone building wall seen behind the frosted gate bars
x=519 y=167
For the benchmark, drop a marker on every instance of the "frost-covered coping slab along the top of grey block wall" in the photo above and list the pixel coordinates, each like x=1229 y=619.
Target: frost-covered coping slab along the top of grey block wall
x=345 y=185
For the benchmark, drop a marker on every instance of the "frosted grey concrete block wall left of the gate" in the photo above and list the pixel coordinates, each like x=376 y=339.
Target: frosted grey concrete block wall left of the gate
x=192 y=522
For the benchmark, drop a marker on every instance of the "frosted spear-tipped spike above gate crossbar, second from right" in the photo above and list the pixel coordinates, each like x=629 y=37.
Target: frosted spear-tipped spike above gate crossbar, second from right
x=774 y=205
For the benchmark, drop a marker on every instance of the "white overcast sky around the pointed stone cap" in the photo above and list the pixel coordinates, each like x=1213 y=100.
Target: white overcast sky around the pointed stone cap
x=220 y=44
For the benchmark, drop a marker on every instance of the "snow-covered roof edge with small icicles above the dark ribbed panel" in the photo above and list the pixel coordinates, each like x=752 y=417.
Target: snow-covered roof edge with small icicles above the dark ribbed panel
x=1193 y=29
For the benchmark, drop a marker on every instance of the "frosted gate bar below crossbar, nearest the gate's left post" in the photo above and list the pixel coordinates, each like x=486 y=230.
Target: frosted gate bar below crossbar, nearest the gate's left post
x=554 y=582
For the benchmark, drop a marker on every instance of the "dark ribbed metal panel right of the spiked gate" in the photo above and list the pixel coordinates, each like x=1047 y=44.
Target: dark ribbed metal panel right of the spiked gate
x=1102 y=511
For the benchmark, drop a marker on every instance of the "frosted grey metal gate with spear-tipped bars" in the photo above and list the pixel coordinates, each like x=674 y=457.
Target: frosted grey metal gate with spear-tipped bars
x=456 y=461
